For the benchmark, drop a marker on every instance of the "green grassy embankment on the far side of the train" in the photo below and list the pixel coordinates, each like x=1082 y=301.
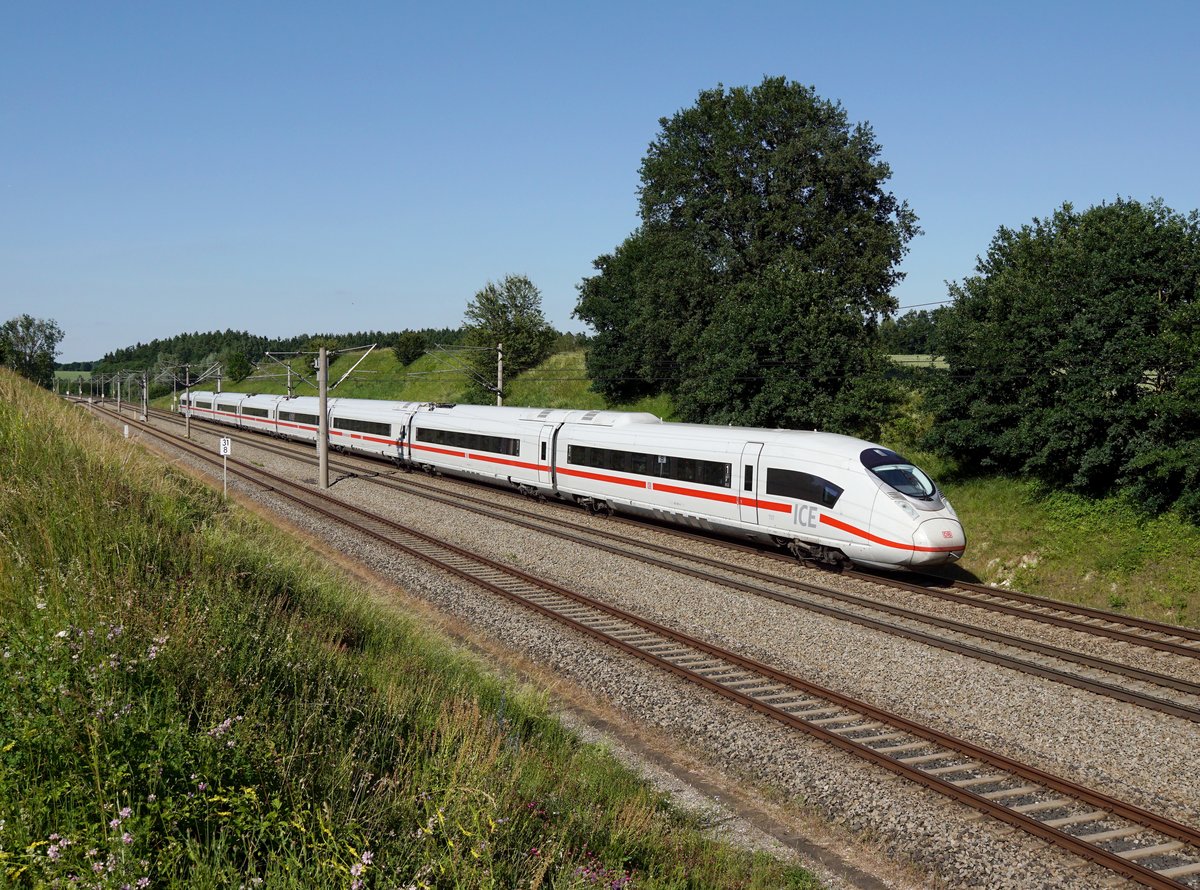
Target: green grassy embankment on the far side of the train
x=1102 y=554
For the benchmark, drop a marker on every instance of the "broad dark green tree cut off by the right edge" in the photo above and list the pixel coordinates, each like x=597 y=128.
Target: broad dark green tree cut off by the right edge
x=1075 y=354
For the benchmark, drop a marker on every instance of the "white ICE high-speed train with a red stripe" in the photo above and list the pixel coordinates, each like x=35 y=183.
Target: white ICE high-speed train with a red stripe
x=825 y=497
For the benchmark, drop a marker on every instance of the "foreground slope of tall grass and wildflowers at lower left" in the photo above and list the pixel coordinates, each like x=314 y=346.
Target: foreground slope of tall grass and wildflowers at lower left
x=189 y=700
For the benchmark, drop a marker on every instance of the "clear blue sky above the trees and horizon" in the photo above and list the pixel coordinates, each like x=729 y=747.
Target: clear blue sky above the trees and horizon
x=301 y=167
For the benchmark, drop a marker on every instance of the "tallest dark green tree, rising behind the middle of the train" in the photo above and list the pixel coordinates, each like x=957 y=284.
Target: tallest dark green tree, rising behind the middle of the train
x=766 y=257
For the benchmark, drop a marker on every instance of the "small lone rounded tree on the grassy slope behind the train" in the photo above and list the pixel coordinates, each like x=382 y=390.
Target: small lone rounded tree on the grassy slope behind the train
x=508 y=314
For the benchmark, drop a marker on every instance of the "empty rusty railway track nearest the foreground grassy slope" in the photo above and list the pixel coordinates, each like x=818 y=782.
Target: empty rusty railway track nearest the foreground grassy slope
x=1129 y=840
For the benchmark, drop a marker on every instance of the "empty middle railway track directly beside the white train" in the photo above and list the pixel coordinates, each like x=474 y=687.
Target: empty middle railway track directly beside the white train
x=1145 y=689
